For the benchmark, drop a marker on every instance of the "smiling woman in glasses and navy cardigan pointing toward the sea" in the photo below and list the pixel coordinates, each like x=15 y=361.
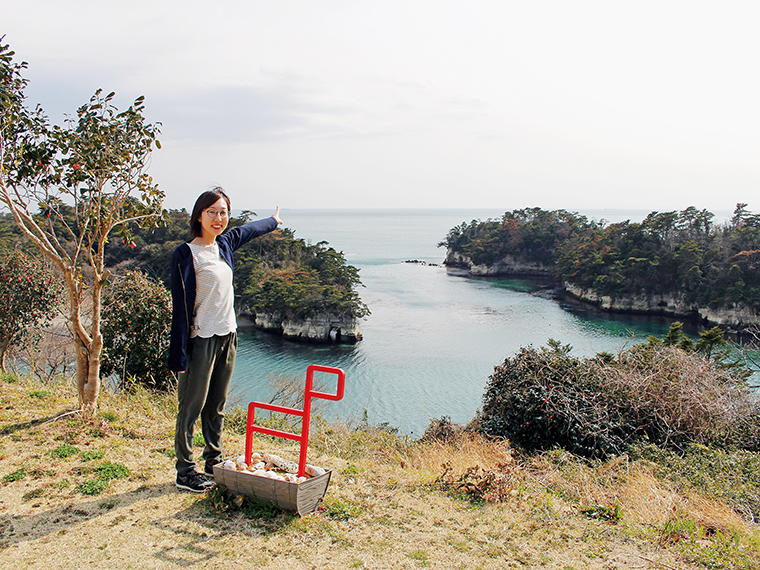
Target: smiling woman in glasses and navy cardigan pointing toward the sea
x=203 y=336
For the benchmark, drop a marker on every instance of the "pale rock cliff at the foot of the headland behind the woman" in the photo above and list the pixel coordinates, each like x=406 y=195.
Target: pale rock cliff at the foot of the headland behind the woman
x=321 y=328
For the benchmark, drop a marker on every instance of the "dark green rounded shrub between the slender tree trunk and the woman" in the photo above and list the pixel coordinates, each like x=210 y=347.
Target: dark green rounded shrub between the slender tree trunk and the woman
x=136 y=323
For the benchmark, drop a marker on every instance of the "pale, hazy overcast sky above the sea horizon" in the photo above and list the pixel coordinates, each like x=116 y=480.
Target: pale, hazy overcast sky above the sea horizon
x=502 y=104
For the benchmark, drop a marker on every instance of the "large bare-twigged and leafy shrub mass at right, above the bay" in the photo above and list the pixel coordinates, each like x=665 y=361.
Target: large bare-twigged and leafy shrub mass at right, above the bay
x=542 y=398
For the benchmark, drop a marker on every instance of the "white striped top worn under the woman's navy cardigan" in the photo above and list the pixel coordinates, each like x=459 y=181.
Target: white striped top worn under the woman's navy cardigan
x=214 y=311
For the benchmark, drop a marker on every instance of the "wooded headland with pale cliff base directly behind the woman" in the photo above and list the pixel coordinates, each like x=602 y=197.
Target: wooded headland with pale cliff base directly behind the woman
x=282 y=284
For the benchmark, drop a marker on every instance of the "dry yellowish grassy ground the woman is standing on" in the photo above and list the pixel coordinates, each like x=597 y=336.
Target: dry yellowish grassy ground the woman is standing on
x=383 y=509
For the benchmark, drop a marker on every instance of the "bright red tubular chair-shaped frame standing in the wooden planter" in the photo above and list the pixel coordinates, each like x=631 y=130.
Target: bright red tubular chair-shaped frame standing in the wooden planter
x=303 y=438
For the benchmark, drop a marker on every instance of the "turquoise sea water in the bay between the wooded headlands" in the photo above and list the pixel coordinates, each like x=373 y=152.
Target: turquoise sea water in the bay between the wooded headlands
x=432 y=339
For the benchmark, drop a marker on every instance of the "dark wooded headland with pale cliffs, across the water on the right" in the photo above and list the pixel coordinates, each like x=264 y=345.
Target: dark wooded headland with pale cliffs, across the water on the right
x=677 y=263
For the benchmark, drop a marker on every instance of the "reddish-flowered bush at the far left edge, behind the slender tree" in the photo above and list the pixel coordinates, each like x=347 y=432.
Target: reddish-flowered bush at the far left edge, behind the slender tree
x=30 y=297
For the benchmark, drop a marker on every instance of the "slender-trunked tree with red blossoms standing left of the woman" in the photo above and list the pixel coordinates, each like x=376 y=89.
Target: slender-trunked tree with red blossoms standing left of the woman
x=69 y=188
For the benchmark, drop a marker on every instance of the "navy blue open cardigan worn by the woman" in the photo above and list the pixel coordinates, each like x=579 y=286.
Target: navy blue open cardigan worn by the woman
x=183 y=284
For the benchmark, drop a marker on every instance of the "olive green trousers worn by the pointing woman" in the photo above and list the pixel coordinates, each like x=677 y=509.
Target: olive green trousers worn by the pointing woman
x=202 y=391
